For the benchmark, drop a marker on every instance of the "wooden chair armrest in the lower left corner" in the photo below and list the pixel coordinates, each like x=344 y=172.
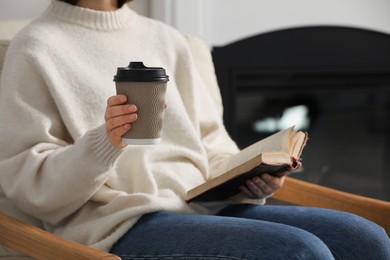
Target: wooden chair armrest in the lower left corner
x=39 y=244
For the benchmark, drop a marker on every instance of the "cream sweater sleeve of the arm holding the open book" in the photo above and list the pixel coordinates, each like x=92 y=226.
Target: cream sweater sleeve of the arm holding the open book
x=218 y=144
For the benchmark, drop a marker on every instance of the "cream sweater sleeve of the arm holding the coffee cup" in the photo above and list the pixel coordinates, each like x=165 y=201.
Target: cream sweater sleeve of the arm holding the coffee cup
x=43 y=170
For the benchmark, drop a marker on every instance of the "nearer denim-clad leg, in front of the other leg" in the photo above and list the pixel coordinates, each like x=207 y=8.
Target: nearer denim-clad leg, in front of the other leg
x=168 y=235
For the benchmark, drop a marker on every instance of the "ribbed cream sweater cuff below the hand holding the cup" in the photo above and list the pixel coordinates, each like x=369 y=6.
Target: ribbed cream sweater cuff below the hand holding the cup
x=101 y=146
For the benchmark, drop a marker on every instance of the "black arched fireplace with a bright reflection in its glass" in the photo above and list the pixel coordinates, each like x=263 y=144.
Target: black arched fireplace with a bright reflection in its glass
x=333 y=82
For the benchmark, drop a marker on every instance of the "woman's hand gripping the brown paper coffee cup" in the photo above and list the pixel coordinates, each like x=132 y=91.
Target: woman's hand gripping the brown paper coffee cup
x=119 y=117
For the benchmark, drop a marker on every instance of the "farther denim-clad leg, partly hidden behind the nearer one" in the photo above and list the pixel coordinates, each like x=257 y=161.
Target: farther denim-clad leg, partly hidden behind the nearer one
x=348 y=236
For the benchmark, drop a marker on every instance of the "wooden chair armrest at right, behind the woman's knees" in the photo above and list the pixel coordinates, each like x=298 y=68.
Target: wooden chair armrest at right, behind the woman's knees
x=307 y=194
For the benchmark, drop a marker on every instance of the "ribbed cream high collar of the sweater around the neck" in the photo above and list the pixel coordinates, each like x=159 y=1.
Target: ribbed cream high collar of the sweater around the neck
x=99 y=20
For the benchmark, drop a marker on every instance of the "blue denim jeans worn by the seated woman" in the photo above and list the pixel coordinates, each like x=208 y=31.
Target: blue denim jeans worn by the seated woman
x=255 y=232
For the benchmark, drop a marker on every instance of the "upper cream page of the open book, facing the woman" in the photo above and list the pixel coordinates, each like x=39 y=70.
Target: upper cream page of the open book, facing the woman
x=277 y=143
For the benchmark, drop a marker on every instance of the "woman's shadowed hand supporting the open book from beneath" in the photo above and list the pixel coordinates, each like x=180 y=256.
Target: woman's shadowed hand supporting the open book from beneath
x=264 y=185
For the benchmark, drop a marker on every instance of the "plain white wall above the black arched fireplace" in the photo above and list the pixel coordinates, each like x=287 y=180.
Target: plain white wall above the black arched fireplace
x=222 y=21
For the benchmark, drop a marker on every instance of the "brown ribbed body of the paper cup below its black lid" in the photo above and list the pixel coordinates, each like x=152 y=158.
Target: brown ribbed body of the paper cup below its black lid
x=149 y=97
